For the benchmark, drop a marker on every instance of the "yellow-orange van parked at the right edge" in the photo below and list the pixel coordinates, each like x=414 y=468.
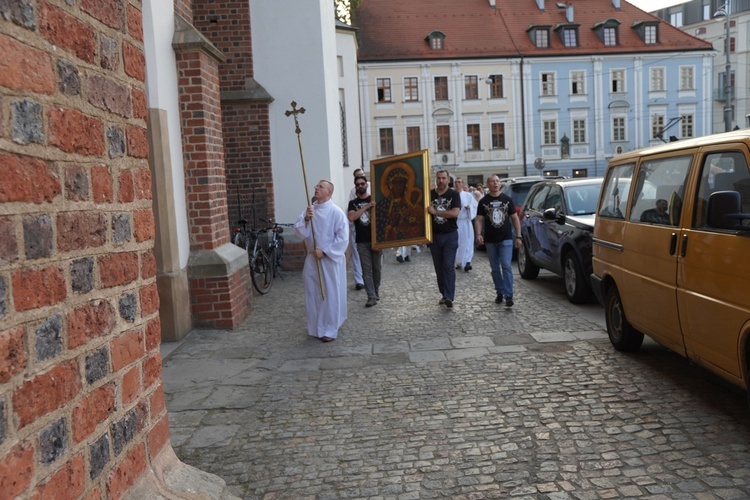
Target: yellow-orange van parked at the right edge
x=671 y=250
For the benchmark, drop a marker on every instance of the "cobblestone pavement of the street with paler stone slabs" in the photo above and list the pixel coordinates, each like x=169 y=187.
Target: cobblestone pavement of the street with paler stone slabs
x=416 y=401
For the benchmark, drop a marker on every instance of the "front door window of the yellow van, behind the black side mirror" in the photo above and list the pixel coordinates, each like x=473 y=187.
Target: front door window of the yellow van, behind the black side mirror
x=725 y=171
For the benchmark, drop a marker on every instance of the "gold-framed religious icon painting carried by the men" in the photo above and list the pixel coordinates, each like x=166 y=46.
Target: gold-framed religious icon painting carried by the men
x=400 y=188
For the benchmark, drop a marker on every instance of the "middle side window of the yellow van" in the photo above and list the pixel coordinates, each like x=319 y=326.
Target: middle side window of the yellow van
x=660 y=185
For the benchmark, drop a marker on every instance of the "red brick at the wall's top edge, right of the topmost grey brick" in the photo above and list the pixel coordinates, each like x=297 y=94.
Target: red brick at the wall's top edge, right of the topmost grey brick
x=67 y=32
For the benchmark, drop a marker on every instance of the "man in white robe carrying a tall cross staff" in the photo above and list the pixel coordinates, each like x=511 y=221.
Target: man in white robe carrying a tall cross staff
x=324 y=317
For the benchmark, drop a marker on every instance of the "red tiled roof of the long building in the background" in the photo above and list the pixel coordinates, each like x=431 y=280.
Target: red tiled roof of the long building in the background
x=398 y=30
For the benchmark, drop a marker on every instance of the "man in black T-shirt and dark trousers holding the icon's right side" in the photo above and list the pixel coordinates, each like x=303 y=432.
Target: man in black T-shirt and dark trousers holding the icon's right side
x=444 y=208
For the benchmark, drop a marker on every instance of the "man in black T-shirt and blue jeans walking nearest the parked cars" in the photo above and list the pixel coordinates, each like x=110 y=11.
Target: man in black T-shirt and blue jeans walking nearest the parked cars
x=492 y=226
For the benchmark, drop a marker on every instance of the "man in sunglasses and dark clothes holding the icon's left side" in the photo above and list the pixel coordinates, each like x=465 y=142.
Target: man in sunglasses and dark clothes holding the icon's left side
x=360 y=213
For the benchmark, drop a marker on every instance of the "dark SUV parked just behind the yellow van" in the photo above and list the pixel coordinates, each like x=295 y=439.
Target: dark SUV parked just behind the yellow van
x=557 y=228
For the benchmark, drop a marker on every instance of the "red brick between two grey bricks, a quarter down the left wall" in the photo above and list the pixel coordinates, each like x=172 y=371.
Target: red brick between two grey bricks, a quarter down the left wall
x=73 y=132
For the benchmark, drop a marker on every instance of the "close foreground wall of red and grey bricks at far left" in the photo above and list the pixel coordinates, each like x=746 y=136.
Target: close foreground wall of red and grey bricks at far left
x=82 y=409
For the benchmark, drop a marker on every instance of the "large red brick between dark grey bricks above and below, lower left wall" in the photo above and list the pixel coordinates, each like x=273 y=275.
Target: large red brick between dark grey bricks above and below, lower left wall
x=46 y=392
